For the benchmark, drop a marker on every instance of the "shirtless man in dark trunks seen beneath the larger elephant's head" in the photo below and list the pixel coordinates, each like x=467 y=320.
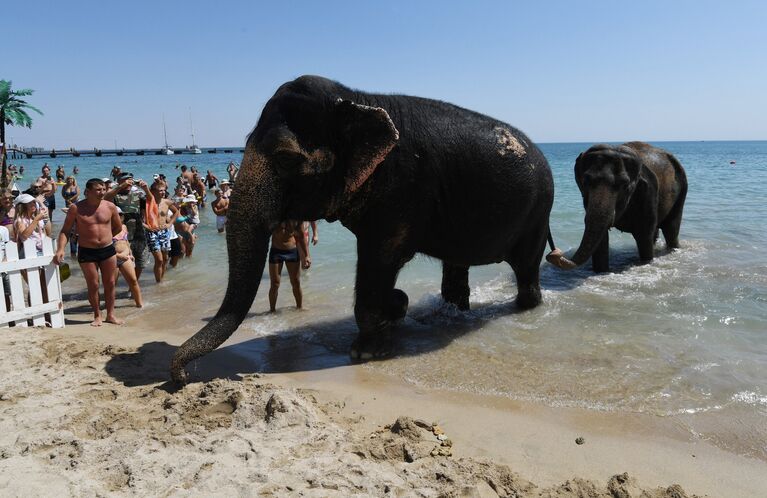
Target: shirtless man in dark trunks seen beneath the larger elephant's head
x=289 y=247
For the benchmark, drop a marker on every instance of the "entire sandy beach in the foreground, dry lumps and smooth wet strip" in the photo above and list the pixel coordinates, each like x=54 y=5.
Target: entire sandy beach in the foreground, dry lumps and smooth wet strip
x=89 y=411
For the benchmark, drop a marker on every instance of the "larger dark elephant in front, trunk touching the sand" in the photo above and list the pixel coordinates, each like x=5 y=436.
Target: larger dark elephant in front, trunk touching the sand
x=405 y=175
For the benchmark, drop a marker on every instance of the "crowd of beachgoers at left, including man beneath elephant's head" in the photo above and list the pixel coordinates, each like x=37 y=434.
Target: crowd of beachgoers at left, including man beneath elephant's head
x=116 y=222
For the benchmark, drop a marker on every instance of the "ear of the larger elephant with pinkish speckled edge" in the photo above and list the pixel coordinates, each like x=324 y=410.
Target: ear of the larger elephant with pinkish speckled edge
x=367 y=135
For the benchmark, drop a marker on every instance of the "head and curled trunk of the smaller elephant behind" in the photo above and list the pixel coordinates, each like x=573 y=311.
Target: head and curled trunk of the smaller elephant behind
x=607 y=177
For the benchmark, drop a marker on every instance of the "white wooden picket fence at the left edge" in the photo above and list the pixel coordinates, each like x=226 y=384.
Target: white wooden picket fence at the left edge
x=36 y=307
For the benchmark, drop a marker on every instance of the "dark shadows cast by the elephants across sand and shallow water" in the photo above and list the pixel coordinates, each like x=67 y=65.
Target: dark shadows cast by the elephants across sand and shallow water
x=326 y=344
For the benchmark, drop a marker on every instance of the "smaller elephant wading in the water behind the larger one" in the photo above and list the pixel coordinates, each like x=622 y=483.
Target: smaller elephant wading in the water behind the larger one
x=634 y=187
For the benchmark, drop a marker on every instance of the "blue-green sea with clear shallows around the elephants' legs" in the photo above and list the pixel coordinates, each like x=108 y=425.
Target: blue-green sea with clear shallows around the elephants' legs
x=683 y=337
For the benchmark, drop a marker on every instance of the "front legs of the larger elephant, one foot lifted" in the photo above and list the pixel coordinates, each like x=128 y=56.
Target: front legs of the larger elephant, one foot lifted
x=377 y=305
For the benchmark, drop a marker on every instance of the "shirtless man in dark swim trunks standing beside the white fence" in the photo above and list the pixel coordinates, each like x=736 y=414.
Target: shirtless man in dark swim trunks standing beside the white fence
x=97 y=222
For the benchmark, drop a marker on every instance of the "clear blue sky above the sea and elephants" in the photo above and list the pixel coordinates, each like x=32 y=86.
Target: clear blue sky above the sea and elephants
x=561 y=71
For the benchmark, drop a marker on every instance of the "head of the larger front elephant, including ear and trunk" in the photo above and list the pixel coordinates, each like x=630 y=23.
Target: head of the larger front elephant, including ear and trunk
x=308 y=155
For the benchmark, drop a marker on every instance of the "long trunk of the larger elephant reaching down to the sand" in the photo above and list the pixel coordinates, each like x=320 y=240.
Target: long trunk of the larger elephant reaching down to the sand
x=247 y=237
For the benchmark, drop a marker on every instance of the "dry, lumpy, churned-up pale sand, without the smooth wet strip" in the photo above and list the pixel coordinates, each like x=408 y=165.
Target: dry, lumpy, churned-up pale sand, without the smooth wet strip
x=70 y=428
